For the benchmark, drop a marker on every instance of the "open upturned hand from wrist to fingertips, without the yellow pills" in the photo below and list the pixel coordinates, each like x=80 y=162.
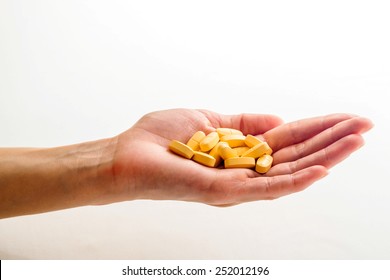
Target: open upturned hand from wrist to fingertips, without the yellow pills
x=303 y=152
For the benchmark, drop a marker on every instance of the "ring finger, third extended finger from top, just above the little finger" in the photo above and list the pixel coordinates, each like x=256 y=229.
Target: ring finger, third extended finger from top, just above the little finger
x=327 y=157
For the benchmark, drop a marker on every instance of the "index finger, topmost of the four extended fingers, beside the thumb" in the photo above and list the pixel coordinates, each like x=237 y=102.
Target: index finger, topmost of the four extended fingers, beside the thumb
x=298 y=131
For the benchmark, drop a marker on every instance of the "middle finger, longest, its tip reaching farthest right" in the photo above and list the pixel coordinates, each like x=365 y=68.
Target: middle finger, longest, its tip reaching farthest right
x=322 y=140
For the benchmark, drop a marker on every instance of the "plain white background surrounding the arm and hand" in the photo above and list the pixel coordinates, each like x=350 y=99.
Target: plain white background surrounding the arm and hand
x=74 y=71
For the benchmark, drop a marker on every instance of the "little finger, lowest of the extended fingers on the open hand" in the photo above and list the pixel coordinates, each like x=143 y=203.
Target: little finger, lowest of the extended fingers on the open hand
x=261 y=188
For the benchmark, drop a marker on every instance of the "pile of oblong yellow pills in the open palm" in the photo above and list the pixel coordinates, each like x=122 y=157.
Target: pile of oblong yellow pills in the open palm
x=228 y=145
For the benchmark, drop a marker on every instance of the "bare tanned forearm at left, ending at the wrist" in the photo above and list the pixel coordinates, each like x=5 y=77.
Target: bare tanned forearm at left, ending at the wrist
x=40 y=180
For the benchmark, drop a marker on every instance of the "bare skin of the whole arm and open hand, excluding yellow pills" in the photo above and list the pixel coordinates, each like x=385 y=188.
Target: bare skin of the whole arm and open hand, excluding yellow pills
x=137 y=164
